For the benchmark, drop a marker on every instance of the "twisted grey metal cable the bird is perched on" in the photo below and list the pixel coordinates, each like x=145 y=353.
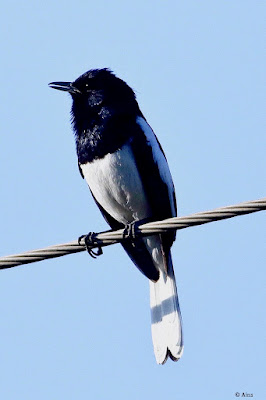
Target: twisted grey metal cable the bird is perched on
x=112 y=237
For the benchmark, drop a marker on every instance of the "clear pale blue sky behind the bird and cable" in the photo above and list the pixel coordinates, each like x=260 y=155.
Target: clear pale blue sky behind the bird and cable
x=76 y=328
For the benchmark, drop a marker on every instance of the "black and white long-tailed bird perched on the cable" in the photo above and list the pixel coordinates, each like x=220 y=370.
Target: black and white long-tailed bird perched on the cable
x=126 y=170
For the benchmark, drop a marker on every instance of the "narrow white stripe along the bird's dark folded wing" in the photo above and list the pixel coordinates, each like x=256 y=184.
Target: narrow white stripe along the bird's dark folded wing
x=159 y=159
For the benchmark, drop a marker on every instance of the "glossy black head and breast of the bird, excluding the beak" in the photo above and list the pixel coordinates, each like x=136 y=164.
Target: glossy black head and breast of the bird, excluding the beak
x=104 y=113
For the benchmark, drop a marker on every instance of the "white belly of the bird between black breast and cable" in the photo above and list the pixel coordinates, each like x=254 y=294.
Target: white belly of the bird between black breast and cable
x=115 y=183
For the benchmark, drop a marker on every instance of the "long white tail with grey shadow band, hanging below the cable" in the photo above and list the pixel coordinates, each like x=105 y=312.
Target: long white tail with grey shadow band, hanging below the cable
x=166 y=317
